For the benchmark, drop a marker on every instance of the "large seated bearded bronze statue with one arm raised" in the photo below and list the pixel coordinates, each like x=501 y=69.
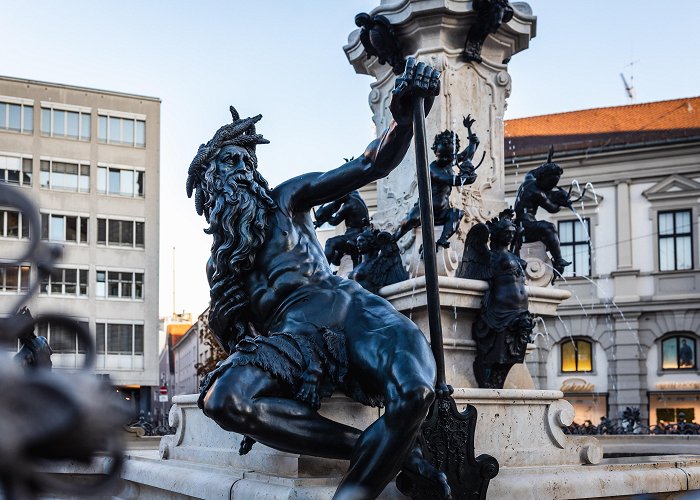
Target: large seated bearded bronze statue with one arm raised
x=295 y=331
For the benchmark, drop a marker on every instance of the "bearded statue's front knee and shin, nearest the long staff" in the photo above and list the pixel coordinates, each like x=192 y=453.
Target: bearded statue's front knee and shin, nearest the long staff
x=383 y=448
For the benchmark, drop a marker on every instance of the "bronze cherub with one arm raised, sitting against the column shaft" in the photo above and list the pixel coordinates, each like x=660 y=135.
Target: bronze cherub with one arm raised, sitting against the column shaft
x=442 y=180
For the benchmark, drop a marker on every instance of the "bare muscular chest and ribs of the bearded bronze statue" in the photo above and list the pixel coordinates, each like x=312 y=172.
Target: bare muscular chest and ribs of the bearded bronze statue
x=290 y=258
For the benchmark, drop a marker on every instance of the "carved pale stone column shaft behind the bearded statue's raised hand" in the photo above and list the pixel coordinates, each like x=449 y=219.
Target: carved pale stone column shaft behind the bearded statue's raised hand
x=435 y=31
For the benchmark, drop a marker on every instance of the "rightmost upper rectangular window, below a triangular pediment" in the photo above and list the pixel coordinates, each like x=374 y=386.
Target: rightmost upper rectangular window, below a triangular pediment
x=675 y=240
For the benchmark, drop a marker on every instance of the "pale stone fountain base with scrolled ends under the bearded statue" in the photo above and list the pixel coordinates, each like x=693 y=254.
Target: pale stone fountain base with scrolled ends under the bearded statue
x=521 y=428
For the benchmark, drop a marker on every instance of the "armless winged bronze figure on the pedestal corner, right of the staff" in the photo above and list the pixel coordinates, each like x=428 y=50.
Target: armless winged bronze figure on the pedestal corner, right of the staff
x=504 y=325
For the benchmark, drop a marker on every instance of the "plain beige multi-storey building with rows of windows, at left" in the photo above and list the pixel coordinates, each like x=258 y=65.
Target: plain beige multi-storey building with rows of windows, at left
x=89 y=160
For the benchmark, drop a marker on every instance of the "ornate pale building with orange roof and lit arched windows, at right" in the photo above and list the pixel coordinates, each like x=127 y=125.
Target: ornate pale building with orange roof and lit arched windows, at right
x=628 y=336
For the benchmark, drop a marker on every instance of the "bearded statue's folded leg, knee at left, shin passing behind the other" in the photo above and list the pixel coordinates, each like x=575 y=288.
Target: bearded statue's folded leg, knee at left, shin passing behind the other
x=247 y=400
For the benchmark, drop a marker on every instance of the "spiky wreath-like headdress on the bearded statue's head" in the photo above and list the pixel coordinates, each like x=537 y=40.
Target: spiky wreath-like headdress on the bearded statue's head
x=241 y=132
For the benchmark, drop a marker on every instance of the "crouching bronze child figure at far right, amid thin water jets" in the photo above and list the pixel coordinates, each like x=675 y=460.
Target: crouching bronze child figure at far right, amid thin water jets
x=539 y=189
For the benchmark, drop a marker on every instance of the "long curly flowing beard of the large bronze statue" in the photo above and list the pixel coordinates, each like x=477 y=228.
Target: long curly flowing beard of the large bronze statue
x=238 y=212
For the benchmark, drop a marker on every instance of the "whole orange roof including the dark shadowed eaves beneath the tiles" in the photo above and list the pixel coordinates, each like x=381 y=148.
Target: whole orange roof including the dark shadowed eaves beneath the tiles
x=601 y=128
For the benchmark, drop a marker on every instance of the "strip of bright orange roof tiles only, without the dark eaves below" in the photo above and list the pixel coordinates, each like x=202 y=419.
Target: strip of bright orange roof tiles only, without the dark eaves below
x=660 y=115
